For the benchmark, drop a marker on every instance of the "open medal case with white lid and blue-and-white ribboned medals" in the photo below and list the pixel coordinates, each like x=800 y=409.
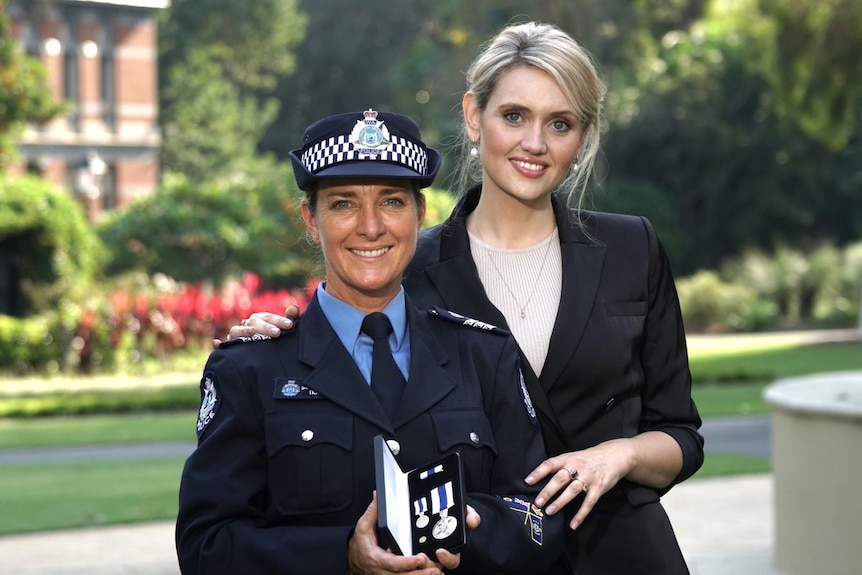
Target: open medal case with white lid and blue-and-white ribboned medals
x=421 y=510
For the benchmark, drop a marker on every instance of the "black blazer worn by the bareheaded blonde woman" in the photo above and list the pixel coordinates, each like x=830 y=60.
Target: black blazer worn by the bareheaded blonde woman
x=617 y=365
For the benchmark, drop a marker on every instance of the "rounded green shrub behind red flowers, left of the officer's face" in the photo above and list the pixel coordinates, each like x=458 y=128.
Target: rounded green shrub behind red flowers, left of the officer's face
x=212 y=231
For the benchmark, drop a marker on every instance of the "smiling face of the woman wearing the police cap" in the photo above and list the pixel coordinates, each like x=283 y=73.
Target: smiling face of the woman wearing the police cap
x=367 y=230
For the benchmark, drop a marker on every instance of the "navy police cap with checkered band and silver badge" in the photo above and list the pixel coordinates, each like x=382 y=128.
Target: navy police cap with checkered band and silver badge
x=364 y=145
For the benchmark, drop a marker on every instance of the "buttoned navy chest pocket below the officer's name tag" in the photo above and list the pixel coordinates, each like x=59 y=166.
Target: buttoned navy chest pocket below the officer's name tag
x=306 y=449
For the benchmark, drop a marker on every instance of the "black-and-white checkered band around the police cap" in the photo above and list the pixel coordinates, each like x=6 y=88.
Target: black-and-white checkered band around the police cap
x=338 y=149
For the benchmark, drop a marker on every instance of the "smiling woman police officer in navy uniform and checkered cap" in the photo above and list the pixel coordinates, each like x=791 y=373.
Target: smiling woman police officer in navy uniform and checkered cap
x=283 y=474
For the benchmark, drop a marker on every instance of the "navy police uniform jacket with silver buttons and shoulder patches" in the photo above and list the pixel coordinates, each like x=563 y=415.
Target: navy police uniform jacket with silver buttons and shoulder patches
x=285 y=467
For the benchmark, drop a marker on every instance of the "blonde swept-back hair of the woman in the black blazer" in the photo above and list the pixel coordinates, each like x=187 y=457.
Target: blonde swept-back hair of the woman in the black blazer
x=547 y=48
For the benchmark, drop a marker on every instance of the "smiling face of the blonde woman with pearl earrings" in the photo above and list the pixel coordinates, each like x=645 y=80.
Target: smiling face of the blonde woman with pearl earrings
x=528 y=133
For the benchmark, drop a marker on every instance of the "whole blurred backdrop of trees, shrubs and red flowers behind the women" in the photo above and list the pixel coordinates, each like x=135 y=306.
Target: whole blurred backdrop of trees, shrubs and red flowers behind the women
x=734 y=125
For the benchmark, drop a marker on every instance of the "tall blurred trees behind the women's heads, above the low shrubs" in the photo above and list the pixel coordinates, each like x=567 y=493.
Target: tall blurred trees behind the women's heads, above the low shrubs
x=732 y=124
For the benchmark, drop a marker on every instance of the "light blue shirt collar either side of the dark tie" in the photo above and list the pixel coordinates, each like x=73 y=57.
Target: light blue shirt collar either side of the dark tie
x=346 y=320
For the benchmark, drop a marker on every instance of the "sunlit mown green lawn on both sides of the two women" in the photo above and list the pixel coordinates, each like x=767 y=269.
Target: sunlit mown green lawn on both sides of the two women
x=729 y=380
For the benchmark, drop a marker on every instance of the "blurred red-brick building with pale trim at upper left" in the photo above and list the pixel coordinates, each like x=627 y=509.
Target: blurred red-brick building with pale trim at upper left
x=101 y=57
